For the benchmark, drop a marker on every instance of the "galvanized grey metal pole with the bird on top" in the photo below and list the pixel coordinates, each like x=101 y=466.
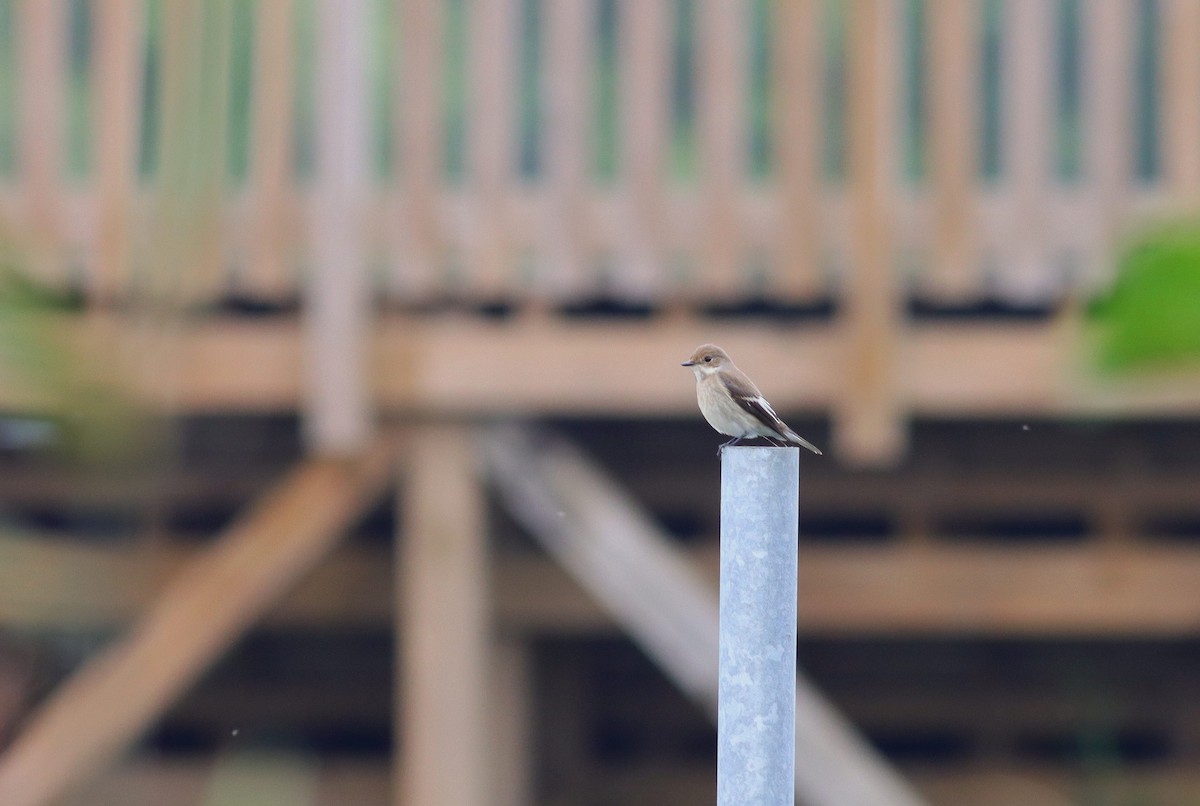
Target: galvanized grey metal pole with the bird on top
x=757 y=700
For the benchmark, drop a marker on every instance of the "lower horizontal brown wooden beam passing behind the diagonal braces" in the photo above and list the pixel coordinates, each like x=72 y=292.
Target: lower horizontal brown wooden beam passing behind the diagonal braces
x=1141 y=590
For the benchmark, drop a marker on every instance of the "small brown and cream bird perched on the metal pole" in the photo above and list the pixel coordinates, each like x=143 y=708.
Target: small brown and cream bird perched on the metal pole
x=731 y=402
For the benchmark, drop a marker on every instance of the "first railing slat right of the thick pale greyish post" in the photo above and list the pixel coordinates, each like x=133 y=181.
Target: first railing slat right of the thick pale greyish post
x=421 y=34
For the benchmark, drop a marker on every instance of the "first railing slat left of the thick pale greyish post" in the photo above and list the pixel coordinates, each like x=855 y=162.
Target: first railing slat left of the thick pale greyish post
x=271 y=272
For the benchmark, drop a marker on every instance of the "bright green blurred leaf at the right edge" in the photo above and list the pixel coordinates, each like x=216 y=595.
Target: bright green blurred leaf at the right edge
x=1151 y=317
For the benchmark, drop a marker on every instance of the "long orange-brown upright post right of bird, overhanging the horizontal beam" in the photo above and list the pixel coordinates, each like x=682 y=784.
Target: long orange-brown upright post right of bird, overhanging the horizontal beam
x=868 y=417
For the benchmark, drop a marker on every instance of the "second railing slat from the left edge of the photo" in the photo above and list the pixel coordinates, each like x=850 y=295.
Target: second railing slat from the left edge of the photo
x=117 y=116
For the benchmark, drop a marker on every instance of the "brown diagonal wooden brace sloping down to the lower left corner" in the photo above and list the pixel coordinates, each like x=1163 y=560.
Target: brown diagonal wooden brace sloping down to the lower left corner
x=112 y=700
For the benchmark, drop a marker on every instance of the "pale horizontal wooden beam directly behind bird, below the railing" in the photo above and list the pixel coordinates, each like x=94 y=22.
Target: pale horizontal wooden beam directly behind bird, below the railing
x=539 y=365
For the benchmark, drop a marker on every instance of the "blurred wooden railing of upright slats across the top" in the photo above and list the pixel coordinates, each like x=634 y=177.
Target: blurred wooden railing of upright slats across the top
x=658 y=152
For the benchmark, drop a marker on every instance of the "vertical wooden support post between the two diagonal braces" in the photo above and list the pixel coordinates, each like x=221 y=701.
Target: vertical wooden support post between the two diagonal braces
x=443 y=625
